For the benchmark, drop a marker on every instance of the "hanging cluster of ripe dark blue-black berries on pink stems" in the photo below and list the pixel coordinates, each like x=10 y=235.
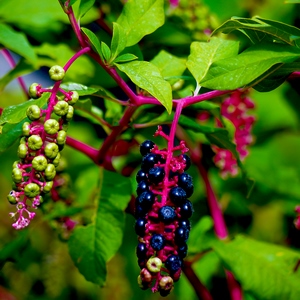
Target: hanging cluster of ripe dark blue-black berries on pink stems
x=162 y=211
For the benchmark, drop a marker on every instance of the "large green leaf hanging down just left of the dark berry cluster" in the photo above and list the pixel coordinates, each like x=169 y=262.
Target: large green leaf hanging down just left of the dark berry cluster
x=93 y=245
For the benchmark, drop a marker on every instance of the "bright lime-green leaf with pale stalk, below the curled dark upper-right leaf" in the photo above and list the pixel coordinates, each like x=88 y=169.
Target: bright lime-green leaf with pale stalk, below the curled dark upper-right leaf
x=203 y=55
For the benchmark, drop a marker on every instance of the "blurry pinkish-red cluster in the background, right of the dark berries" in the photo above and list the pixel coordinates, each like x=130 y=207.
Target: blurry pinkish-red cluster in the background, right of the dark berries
x=235 y=108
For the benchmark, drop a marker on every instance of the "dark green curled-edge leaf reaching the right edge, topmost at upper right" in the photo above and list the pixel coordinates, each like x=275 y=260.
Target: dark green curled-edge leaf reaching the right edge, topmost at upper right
x=258 y=29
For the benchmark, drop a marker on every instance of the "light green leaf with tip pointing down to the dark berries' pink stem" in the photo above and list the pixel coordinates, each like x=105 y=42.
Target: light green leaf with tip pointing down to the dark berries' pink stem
x=148 y=77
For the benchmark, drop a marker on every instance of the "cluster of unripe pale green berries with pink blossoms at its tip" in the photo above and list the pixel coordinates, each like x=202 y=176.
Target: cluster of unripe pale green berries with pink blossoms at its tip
x=39 y=151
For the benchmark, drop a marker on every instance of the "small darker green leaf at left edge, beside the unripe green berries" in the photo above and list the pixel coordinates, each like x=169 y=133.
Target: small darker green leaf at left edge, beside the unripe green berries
x=10 y=134
